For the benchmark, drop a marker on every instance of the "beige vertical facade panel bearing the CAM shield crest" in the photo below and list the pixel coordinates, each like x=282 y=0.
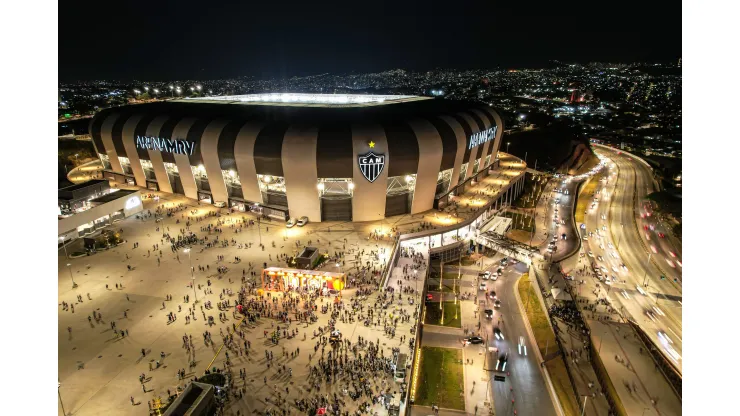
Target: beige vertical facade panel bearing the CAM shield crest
x=368 y=200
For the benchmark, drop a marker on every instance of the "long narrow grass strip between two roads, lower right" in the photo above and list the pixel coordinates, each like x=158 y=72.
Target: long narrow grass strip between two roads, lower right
x=546 y=343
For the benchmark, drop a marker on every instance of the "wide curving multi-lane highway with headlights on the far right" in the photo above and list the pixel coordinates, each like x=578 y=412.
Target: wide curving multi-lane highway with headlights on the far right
x=633 y=258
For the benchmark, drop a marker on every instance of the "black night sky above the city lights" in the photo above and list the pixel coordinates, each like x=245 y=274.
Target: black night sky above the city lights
x=153 y=40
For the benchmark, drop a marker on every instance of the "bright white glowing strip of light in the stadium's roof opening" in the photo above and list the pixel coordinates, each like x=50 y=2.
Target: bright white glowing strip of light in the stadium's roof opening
x=295 y=98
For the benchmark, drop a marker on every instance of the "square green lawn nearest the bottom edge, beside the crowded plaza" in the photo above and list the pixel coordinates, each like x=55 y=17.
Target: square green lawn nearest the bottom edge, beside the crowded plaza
x=441 y=380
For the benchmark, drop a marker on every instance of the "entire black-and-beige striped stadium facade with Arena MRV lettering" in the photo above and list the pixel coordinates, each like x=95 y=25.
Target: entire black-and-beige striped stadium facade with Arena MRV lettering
x=302 y=156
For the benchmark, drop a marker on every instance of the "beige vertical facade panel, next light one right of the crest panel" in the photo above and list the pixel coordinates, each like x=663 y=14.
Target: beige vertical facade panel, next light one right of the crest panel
x=430 y=159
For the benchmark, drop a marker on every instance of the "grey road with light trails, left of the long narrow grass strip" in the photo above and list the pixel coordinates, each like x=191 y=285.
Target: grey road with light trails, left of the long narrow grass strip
x=524 y=377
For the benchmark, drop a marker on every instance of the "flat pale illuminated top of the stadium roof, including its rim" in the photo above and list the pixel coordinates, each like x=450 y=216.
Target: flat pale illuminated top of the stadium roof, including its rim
x=309 y=100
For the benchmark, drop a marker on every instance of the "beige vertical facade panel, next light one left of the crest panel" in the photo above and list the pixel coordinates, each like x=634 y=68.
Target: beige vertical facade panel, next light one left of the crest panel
x=301 y=176
